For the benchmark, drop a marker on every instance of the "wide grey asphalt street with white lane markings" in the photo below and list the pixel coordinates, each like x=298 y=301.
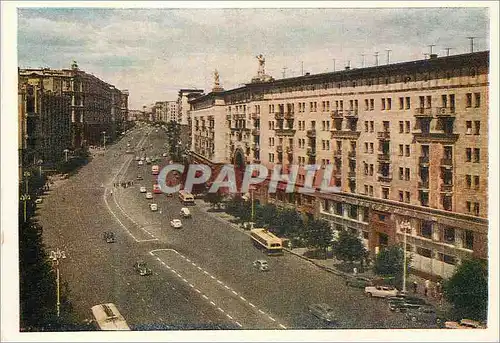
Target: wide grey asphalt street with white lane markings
x=202 y=274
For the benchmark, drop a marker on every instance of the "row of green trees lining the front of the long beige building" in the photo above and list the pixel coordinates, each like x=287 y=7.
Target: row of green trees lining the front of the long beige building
x=466 y=290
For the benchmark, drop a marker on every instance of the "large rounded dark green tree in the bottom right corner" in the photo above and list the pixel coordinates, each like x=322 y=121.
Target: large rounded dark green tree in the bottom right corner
x=467 y=290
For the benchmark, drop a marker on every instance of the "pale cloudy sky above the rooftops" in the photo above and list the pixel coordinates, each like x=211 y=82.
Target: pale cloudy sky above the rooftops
x=154 y=52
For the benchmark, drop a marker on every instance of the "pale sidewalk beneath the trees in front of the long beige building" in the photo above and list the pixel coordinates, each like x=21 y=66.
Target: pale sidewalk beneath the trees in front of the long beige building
x=331 y=264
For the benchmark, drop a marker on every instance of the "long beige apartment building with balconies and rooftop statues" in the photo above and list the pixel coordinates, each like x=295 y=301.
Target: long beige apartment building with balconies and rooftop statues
x=407 y=142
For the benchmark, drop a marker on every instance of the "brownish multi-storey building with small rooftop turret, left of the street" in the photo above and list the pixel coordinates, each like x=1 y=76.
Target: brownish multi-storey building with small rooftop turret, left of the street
x=96 y=106
